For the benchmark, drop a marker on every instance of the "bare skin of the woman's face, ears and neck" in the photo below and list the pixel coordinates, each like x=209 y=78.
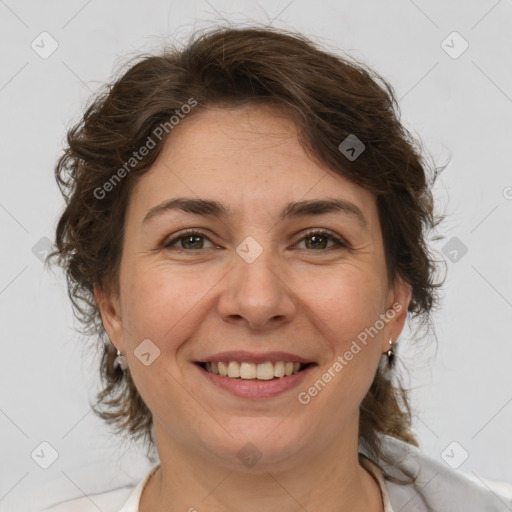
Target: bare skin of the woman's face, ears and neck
x=195 y=300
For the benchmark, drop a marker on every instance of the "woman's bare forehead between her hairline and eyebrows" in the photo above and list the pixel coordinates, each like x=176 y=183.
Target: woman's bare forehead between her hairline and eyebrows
x=247 y=157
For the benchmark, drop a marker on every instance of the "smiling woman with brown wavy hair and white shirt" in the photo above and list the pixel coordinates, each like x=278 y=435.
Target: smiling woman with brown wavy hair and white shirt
x=245 y=229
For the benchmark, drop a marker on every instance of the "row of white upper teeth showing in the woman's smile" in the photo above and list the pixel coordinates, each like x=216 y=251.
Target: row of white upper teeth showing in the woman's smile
x=248 y=371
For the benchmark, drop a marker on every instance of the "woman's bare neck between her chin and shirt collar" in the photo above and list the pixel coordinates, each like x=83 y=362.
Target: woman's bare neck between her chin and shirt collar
x=330 y=480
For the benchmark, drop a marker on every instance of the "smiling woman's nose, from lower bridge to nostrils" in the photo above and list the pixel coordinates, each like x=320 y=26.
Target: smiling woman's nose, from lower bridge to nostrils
x=256 y=294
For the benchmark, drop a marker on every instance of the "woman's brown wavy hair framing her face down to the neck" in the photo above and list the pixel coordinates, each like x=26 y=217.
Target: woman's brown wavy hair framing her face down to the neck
x=327 y=96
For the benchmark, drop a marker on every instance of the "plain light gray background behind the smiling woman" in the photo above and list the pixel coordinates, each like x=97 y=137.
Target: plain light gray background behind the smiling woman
x=461 y=108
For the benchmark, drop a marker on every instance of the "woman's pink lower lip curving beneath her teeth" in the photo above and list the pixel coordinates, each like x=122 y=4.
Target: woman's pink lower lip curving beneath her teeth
x=256 y=388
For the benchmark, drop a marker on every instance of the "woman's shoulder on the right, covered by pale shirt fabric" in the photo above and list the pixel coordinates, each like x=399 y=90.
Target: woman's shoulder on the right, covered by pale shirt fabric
x=438 y=486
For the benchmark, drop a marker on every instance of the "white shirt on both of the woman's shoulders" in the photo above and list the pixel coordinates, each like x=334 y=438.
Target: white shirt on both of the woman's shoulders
x=438 y=488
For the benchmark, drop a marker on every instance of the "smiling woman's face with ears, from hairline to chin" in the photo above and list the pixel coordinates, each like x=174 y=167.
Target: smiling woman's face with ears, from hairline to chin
x=254 y=280
